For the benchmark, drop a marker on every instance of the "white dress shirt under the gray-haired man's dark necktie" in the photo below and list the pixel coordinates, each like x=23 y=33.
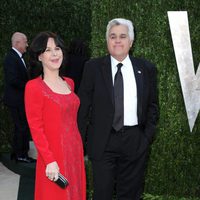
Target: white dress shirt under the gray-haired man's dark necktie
x=130 y=90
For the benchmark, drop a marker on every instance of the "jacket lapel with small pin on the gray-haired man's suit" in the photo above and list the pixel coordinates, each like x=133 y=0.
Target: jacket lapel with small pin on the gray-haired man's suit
x=139 y=84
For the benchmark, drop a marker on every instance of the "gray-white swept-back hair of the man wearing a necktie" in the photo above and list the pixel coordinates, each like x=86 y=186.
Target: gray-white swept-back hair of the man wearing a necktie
x=121 y=21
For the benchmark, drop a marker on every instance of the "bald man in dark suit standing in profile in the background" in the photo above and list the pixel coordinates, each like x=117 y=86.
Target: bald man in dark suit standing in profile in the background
x=15 y=79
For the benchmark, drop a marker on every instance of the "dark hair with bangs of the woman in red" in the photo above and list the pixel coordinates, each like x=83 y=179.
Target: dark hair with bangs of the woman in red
x=38 y=46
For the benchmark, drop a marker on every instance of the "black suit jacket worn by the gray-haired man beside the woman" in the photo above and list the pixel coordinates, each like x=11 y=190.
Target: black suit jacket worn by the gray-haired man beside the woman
x=96 y=111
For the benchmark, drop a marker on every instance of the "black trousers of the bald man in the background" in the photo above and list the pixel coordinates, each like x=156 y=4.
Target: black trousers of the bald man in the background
x=21 y=135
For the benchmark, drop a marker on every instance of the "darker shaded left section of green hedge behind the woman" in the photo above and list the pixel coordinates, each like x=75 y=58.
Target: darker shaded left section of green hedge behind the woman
x=70 y=19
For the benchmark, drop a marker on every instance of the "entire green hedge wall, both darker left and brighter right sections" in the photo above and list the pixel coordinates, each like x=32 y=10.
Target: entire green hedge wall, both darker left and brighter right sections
x=174 y=163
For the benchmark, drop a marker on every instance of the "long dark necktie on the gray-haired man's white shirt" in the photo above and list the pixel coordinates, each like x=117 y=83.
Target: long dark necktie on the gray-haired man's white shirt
x=118 y=120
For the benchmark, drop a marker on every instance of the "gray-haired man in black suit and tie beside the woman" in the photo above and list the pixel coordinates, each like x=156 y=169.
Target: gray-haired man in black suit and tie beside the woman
x=118 y=115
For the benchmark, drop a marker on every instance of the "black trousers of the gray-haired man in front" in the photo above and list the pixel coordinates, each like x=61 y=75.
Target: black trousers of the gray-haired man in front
x=122 y=166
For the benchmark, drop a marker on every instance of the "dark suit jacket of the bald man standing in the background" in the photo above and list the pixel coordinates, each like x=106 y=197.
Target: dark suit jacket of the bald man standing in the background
x=15 y=79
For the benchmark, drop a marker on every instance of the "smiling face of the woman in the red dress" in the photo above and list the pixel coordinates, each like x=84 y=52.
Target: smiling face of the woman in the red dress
x=52 y=57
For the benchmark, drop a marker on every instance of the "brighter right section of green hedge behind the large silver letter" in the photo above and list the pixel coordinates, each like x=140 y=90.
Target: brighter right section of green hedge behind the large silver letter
x=175 y=155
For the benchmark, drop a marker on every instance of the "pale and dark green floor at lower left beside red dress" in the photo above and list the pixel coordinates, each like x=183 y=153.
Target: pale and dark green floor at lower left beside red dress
x=17 y=179
